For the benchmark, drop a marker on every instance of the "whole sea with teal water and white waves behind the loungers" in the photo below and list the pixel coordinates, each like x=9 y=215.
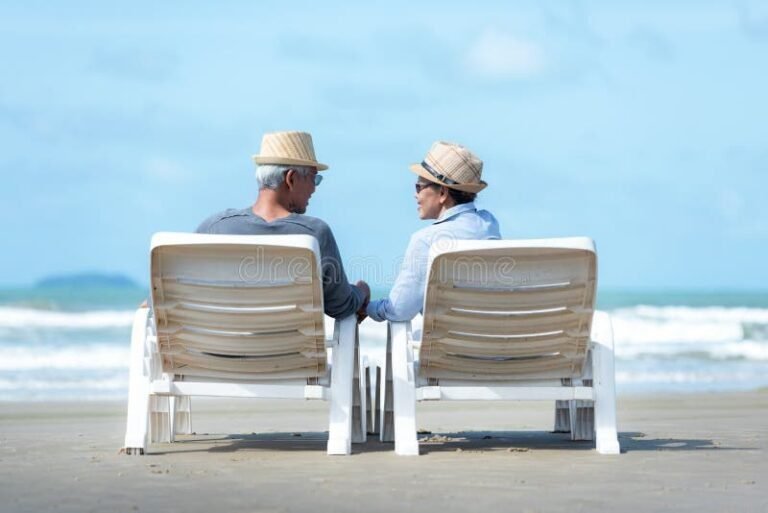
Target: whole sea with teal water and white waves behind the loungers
x=63 y=344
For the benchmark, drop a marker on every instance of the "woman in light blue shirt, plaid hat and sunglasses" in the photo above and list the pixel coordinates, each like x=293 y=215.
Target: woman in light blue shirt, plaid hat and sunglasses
x=449 y=180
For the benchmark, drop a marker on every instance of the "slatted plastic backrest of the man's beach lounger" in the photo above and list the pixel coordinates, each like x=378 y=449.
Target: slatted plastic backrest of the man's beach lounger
x=238 y=306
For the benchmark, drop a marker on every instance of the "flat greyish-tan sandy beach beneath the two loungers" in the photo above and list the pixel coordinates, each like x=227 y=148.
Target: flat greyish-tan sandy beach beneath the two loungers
x=695 y=453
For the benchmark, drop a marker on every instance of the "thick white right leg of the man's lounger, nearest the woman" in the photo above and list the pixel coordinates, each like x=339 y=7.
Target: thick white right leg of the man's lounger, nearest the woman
x=342 y=376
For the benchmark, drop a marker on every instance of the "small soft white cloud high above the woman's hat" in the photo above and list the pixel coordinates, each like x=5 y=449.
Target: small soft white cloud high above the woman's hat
x=502 y=56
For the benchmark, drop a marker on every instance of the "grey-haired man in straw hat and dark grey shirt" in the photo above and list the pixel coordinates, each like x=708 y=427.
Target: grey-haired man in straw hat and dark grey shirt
x=287 y=172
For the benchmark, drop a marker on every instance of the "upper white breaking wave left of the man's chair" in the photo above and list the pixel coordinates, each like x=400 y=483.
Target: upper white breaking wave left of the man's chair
x=12 y=317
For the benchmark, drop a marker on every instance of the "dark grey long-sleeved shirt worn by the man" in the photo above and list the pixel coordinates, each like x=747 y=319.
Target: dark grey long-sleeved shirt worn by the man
x=341 y=299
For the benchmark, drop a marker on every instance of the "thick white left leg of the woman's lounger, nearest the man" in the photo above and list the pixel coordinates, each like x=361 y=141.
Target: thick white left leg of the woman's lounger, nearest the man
x=404 y=387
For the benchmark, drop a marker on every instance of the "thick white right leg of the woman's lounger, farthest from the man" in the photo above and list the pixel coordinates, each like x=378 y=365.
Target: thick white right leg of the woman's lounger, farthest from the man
x=606 y=437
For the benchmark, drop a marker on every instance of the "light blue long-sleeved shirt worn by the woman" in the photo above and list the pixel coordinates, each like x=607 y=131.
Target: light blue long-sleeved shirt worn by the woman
x=406 y=299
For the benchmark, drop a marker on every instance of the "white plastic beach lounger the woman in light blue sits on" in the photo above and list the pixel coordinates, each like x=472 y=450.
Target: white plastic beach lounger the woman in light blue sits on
x=506 y=320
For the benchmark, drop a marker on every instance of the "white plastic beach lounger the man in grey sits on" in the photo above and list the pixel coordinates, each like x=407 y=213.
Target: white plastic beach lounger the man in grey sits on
x=238 y=316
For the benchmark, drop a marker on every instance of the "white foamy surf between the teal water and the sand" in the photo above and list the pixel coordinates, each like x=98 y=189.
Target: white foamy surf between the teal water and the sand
x=655 y=346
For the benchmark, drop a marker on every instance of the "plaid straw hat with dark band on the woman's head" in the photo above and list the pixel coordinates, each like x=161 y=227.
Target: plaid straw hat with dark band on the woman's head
x=452 y=165
